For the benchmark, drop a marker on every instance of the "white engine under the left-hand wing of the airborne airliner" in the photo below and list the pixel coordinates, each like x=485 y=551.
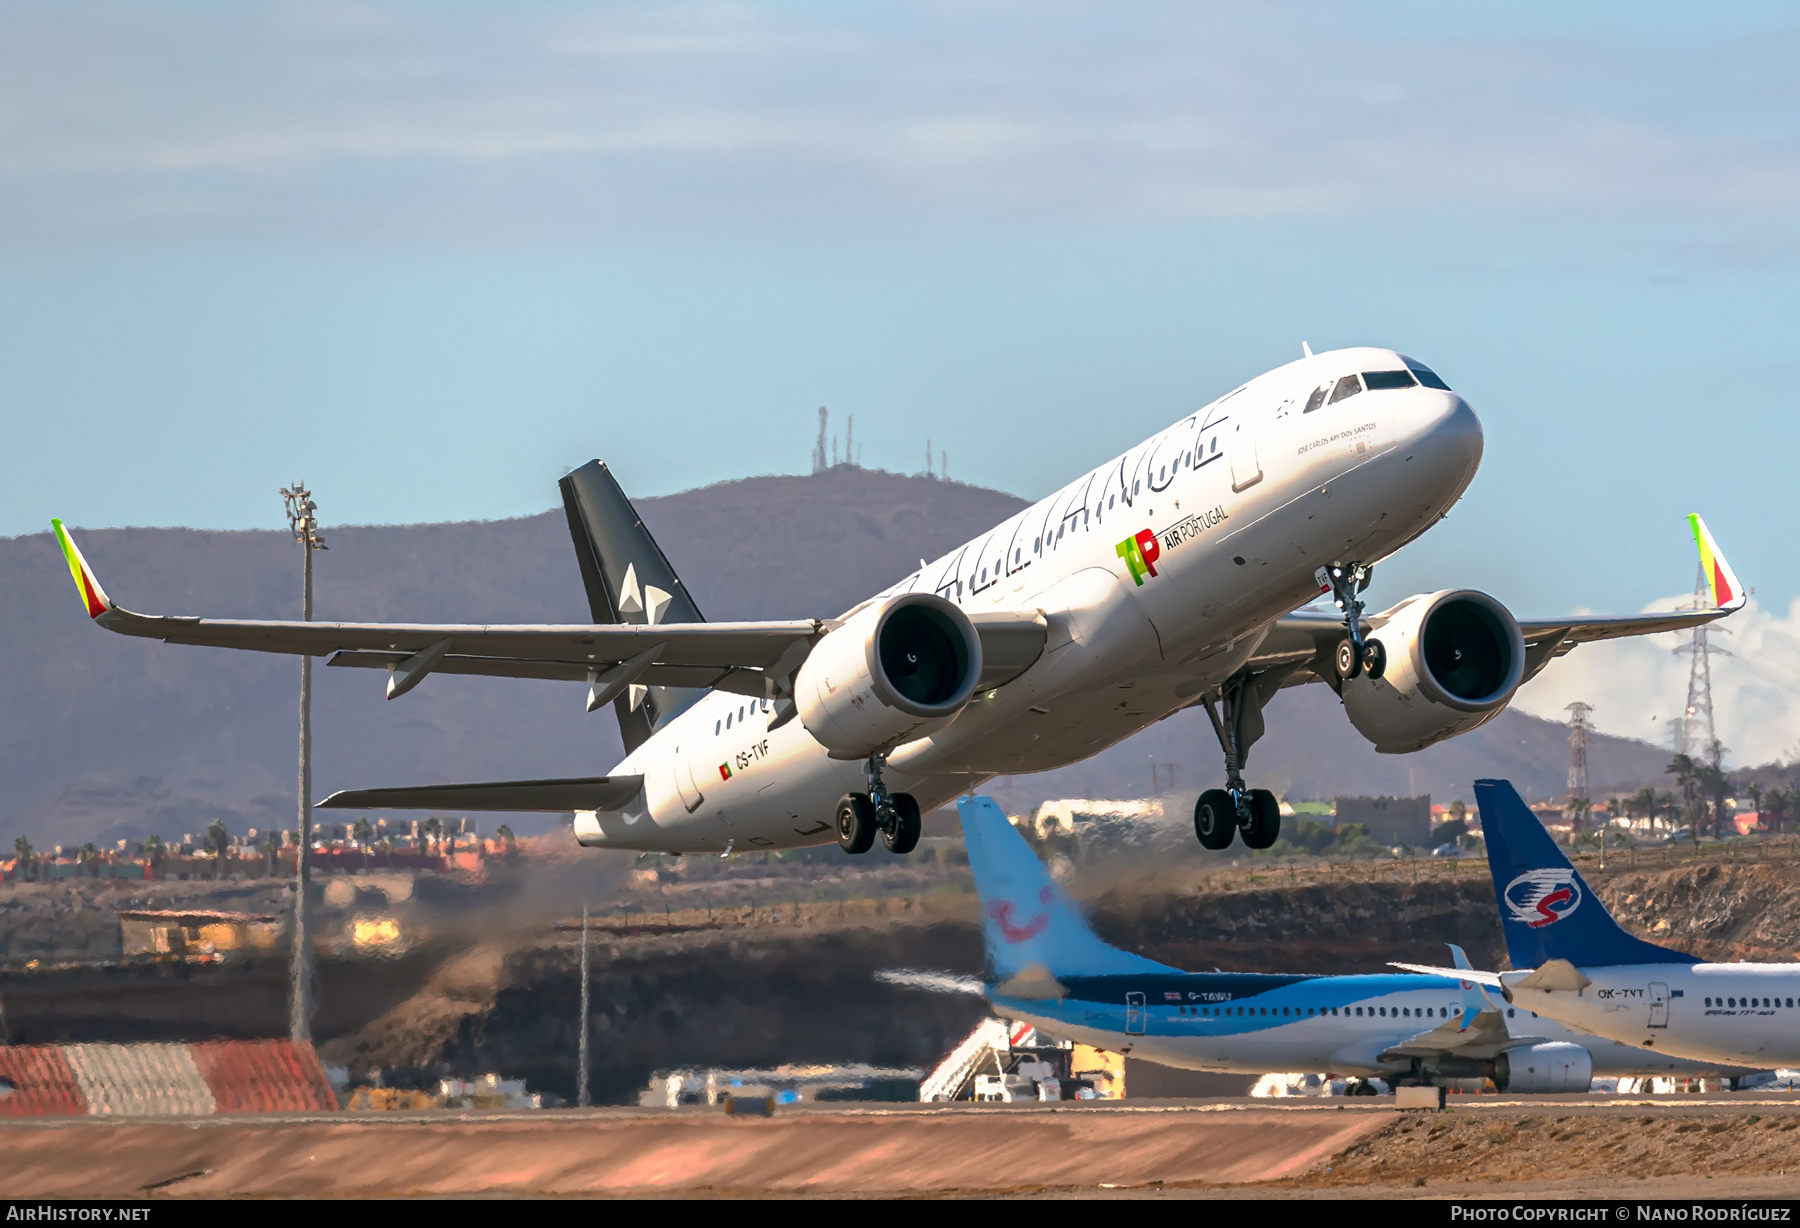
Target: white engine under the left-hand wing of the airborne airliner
x=894 y=673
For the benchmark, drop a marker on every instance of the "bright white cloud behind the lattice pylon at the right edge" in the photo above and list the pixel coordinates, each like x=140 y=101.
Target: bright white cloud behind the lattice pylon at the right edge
x=1637 y=687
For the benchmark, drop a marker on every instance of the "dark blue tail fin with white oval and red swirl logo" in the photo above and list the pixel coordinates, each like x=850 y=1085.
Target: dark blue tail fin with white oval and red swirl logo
x=1547 y=910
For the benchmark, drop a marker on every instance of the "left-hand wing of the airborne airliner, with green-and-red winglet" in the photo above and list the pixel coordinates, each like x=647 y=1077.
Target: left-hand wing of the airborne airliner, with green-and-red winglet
x=742 y=658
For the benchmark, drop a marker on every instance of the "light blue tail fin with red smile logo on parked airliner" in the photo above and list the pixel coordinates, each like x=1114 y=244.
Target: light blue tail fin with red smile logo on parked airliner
x=1027 y=919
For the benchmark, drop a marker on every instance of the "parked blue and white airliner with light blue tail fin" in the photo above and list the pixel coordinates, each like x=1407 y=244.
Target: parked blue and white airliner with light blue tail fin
x=1048 y=968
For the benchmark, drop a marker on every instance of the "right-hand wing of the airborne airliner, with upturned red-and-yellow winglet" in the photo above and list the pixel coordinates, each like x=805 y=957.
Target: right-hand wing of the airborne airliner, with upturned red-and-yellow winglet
x=1306 y=640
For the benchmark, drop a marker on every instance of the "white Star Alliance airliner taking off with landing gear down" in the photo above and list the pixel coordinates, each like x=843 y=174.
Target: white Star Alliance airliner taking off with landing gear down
x=1165 y=579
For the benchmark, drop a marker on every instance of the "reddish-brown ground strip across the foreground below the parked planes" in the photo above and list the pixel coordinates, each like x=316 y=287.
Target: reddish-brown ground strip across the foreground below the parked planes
x=1482 y=1148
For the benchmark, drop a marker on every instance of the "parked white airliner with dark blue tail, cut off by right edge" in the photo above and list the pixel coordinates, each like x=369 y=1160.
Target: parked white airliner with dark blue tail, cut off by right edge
x=1576 y=964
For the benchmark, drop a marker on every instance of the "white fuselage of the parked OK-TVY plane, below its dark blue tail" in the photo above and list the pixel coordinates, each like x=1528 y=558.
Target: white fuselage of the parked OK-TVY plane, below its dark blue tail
x=1704 y=1011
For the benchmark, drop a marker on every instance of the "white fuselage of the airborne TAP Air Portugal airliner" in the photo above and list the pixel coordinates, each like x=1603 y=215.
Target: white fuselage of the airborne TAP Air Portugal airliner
x=1246 y=501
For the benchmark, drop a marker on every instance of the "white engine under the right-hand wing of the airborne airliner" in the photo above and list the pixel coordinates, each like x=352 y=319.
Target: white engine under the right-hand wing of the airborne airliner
x=1453 y=662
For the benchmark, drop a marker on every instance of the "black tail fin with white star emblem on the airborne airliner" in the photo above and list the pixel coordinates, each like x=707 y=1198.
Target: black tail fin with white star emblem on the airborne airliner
x=629 y=581
